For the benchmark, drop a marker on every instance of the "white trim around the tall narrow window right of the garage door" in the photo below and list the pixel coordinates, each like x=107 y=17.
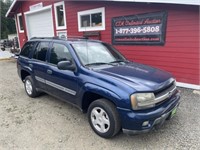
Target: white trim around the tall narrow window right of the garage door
x=64 y=13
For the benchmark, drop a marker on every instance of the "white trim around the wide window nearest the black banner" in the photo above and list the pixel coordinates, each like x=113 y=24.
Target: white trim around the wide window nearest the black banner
x=91 y=11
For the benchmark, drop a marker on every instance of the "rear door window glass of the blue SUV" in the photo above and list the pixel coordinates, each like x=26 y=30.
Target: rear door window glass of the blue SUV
x=41 y=51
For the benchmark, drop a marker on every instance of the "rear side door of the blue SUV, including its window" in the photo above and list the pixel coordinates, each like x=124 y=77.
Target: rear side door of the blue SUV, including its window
x=39 y=64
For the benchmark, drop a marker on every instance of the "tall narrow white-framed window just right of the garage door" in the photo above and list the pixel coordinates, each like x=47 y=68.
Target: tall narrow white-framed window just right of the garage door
x=59 y=10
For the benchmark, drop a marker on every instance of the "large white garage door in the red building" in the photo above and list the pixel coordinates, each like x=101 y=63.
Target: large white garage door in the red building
x=40 y=24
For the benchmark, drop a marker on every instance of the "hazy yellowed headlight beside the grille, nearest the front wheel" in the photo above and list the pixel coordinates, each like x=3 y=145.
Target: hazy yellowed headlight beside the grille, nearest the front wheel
x=142 y=100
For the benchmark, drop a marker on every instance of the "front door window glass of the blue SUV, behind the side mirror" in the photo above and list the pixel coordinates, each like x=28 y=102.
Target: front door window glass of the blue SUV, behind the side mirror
x=59 y=52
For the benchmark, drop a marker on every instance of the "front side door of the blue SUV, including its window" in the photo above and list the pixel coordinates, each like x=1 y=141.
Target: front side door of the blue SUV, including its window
x=61 y=83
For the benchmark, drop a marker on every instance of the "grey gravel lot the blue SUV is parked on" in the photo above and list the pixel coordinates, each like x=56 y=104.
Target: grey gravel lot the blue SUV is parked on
x=47 y=123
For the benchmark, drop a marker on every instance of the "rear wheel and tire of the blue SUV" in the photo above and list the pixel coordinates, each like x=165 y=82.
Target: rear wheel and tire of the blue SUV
x=30 y=87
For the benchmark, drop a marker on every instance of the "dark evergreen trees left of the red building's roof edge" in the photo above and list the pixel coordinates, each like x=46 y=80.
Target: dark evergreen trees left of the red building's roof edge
x=7 y=24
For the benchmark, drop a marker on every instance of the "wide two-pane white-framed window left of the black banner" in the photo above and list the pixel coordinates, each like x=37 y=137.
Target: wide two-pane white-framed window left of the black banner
x=91 y=20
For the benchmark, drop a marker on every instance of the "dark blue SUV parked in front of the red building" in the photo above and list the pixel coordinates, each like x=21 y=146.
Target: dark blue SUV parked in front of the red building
x=92 y=75
